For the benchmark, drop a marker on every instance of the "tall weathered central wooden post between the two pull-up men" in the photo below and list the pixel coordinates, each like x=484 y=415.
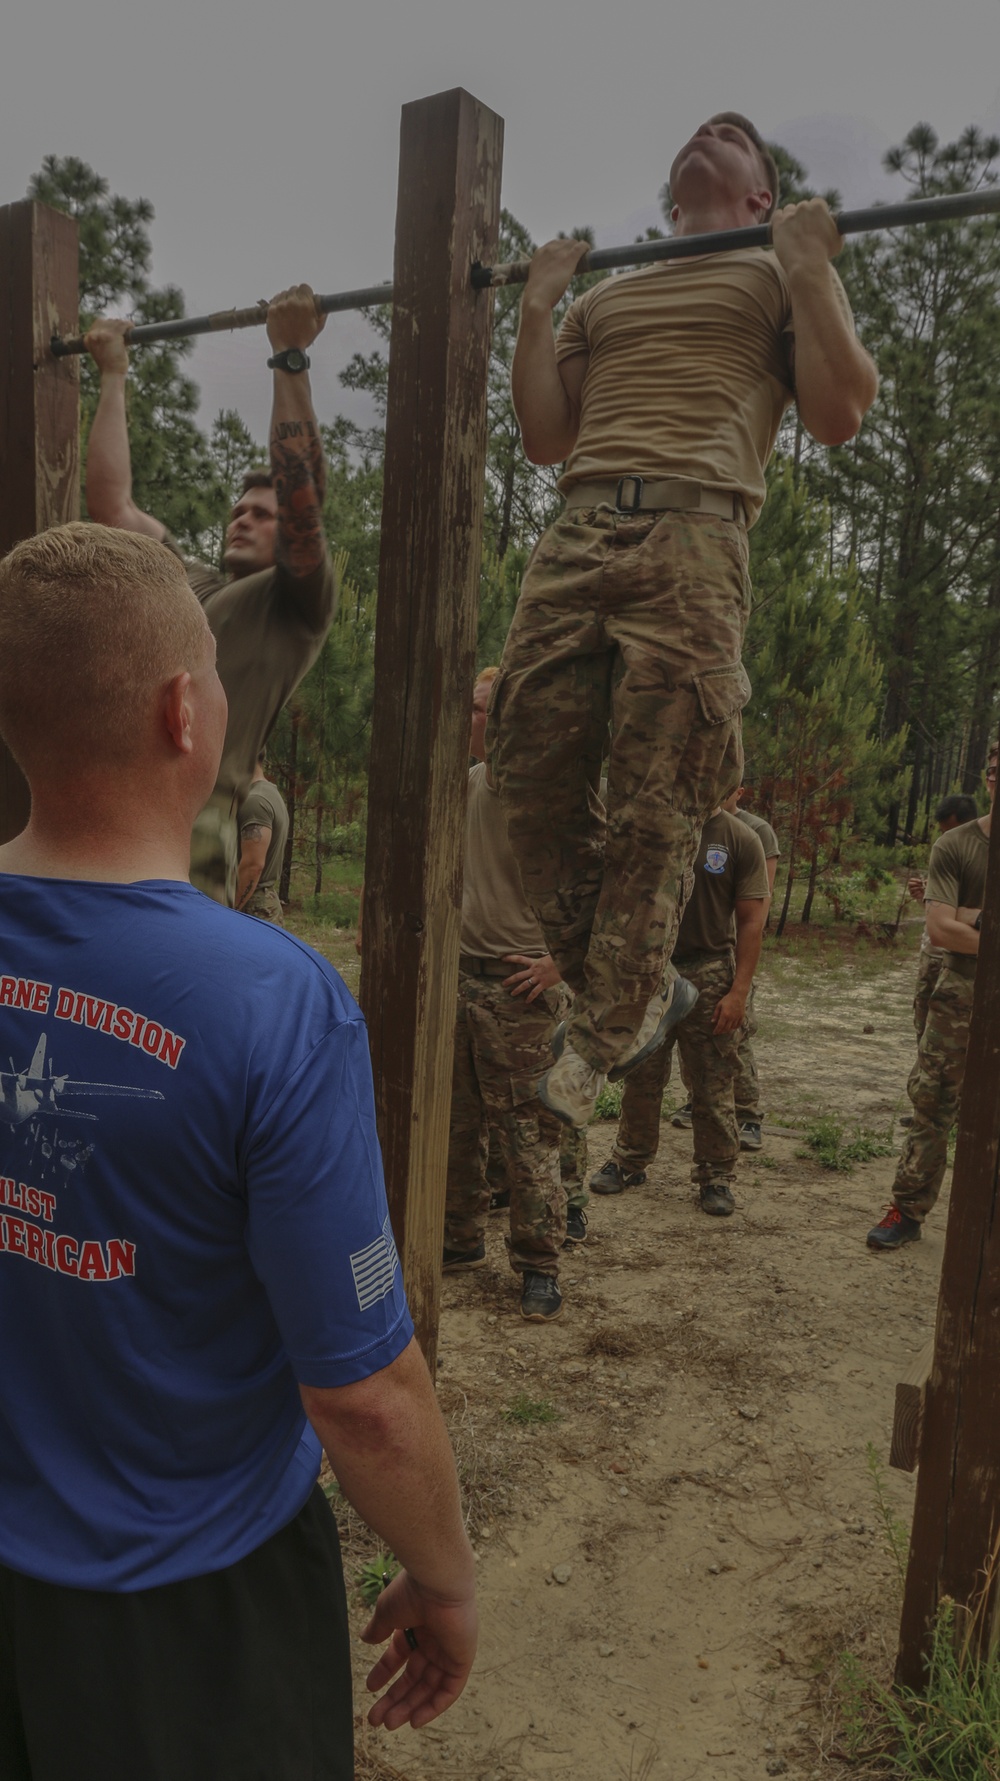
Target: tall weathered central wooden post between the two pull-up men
x=429 y=585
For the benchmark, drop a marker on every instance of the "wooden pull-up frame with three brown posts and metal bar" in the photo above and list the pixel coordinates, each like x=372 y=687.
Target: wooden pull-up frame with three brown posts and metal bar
x=448 y=222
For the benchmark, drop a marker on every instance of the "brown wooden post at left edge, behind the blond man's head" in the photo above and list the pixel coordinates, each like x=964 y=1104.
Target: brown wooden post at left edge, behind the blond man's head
x=40 y=405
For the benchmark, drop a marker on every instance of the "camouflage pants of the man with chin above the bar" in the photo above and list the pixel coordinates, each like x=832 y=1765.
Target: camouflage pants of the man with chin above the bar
x=634 y=622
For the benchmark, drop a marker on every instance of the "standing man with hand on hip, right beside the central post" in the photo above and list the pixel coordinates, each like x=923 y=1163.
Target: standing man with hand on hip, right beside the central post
x=509 y=1004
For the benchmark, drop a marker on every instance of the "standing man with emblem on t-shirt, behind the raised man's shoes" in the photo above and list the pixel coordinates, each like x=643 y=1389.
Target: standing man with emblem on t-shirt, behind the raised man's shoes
x=717 y=950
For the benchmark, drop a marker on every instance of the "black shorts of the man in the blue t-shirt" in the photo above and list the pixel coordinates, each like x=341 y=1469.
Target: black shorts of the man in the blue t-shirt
x=242 y=1675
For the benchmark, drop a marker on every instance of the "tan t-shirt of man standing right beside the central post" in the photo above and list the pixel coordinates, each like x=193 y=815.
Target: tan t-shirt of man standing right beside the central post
x=496 y=918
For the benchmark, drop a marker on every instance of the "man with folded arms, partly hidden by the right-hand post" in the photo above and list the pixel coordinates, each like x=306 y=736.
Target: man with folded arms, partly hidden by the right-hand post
x=956 y=888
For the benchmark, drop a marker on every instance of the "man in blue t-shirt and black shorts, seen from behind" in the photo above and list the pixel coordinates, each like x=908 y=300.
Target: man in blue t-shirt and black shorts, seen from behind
x=199 y=1285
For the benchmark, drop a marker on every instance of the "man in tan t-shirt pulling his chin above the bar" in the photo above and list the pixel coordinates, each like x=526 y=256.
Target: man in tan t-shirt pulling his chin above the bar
x=664 y=394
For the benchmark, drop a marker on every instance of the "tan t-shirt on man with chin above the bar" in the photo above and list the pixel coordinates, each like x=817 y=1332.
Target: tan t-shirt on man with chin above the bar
x=691 y=373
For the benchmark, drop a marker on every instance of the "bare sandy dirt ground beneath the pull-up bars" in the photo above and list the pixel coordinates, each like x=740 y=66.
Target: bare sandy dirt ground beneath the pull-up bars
x=669 y=1570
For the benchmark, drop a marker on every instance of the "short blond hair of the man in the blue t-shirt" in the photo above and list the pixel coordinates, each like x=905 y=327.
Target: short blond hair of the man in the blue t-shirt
x=94 y=622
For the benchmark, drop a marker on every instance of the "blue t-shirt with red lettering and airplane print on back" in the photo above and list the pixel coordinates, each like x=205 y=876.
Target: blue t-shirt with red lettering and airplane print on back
x=192 y=1221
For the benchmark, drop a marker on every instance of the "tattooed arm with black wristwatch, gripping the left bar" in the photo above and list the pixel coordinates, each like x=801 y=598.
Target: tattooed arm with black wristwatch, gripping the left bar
x=297 y=460
